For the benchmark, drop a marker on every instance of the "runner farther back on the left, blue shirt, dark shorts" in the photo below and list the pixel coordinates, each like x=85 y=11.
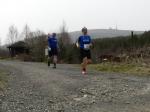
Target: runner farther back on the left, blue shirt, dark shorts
x=52 y=48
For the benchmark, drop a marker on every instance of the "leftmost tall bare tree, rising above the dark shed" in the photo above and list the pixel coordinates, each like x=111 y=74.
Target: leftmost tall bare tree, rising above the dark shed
x=12 y=34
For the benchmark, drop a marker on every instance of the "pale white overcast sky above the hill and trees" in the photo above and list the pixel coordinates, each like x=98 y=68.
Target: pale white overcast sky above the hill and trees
x=47 y=15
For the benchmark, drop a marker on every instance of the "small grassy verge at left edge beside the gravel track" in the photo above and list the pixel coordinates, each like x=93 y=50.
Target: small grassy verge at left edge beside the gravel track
x=3 y=79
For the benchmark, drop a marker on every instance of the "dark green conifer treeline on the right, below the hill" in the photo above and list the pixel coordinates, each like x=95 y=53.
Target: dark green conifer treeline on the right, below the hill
x=122 y=44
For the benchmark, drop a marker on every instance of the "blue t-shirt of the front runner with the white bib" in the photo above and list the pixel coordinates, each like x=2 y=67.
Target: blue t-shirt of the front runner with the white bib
x=84 y=40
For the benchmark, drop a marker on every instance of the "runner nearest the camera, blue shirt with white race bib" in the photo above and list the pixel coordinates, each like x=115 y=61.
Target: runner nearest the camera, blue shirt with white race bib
x=84 y=43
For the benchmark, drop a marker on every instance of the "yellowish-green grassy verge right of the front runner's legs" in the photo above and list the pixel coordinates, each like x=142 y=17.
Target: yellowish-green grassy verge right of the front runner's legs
x=132 y=68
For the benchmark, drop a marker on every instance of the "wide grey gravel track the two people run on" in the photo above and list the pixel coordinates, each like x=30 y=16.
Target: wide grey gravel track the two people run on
x=33 y=87
